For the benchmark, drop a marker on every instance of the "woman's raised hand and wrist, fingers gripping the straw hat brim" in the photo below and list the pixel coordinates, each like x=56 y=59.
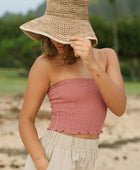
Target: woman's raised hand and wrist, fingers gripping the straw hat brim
x=83 y=48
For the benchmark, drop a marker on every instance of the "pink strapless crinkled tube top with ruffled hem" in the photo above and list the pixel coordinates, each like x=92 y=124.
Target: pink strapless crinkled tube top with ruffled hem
x=77 y=106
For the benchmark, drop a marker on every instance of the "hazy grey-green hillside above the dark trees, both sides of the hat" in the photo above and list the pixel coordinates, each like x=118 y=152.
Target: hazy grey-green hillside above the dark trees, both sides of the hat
x=103 y=8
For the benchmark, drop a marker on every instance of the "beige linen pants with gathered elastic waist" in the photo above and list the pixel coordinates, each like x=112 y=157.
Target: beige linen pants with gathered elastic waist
x=67 y=152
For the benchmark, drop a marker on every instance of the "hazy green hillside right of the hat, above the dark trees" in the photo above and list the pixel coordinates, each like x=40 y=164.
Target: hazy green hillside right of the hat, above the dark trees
x=104 y=9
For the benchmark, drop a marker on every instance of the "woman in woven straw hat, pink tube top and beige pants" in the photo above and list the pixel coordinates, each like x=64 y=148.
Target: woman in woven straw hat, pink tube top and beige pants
x=81 y=82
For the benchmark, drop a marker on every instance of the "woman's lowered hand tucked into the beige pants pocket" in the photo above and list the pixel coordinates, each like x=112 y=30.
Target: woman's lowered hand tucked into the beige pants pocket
x=41 y=163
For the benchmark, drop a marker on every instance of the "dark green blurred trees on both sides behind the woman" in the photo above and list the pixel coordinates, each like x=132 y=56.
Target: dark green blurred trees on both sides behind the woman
x=18 y=50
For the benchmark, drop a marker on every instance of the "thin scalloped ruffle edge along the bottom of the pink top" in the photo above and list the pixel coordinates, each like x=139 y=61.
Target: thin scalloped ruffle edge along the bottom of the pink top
x=75 y=132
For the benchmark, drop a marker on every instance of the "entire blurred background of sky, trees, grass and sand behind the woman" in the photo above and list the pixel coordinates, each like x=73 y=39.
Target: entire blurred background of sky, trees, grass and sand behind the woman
x=116 y=24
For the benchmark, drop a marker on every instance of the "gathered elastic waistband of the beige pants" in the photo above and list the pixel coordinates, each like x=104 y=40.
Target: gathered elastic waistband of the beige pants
x=70 y=142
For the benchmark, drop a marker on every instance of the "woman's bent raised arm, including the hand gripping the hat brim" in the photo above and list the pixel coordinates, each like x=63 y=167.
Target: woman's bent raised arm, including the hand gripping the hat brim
x=110 y=83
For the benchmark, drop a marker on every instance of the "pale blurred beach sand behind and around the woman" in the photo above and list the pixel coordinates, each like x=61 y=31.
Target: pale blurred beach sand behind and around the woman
x=119 y=147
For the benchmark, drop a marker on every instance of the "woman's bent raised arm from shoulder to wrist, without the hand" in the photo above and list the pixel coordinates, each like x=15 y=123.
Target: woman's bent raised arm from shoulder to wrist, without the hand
x=110 y=83
